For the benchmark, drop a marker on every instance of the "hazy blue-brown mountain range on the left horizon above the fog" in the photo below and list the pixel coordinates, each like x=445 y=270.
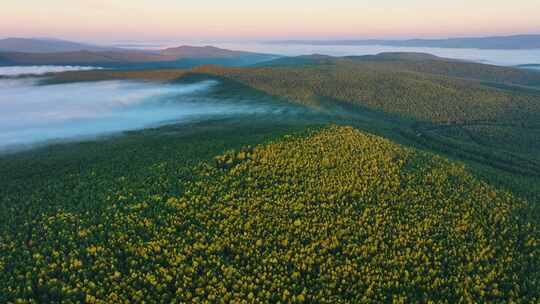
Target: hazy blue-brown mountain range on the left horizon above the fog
x=21 y=51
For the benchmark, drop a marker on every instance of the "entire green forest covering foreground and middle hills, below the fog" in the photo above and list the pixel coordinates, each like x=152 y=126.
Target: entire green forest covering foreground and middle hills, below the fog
x=403 y=179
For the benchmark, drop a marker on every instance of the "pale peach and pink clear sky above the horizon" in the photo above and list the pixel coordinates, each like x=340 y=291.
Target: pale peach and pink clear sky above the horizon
x=228 y=20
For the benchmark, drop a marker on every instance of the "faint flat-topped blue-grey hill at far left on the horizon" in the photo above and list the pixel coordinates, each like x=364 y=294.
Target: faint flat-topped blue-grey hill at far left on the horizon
x=33 y=45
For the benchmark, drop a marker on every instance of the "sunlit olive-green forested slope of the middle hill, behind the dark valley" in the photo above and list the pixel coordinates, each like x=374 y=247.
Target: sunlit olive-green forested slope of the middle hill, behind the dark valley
x=379 y=86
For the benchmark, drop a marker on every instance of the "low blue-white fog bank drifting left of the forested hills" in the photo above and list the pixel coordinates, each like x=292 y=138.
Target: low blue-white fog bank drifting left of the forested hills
x=36 y=114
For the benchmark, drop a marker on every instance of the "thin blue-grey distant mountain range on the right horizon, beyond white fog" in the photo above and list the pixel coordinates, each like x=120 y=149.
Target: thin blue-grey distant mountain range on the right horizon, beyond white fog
x=498 y=42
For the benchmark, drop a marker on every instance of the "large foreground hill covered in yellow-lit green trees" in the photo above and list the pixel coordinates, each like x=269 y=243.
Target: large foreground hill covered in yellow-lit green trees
x=328 y=215
